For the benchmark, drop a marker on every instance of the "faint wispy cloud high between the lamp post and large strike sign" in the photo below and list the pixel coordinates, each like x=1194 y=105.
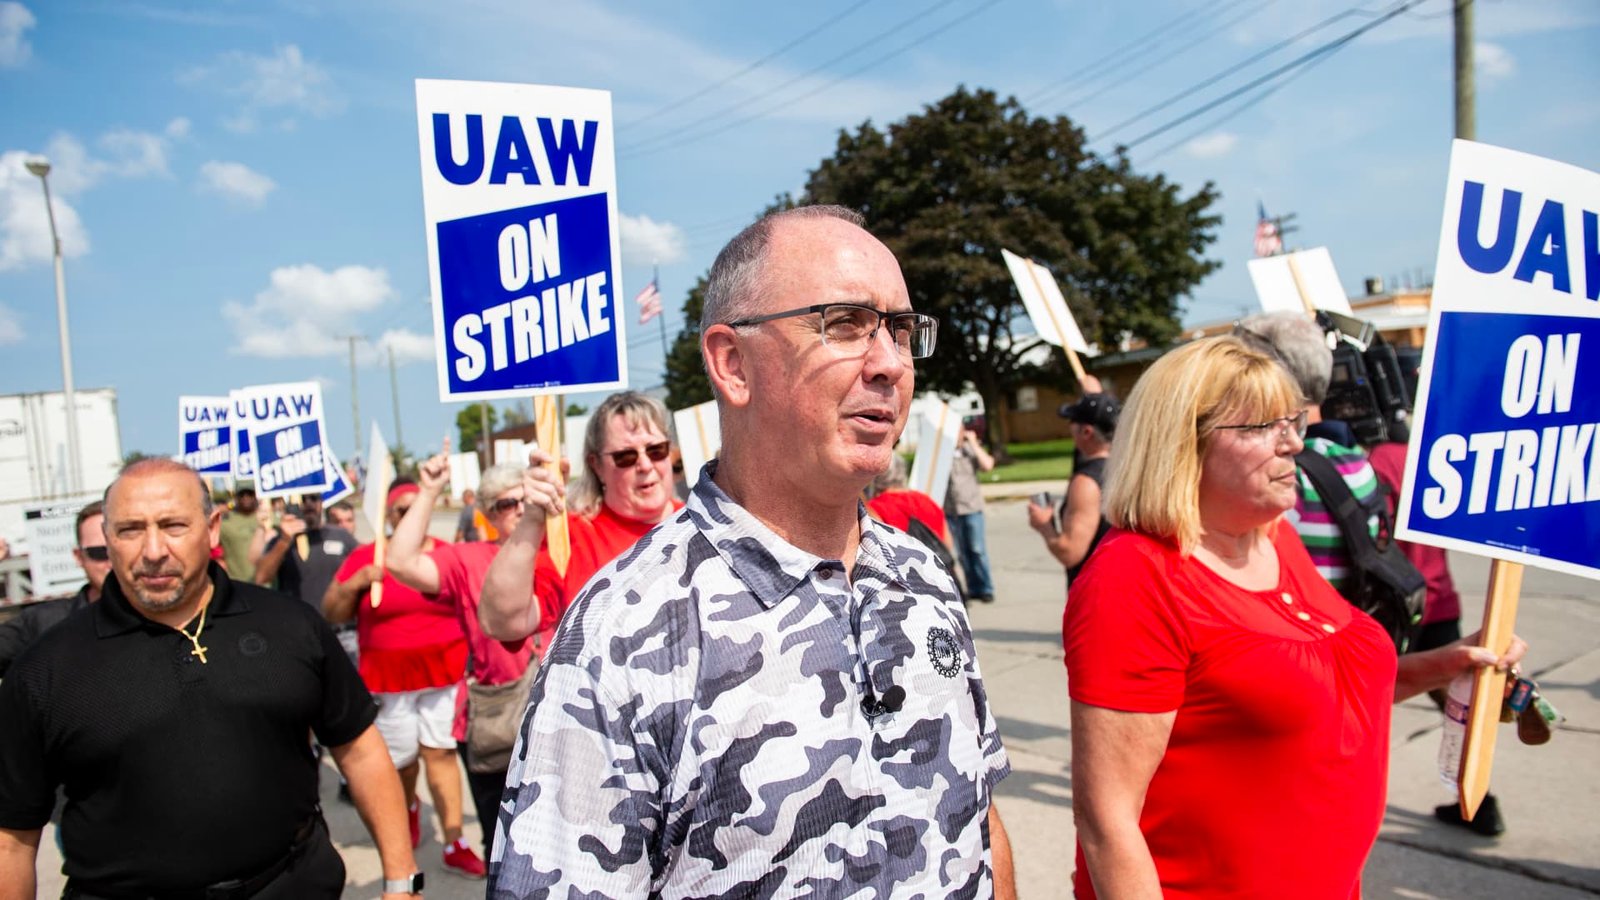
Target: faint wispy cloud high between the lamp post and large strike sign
x=281 y=84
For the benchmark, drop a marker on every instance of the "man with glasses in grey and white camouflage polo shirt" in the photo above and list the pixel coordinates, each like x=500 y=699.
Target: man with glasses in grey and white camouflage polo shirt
x=770 y=694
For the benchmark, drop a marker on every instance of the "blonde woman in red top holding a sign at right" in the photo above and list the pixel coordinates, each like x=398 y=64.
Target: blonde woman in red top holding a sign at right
x=1230 y=709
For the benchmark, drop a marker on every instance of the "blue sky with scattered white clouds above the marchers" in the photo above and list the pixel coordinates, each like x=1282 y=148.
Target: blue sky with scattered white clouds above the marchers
x=238 y=182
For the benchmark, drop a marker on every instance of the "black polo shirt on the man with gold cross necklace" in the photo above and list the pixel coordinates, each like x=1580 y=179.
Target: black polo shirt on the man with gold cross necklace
x=177 y=774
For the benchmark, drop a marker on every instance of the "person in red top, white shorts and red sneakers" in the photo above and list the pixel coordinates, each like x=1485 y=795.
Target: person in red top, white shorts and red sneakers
x=414 y=656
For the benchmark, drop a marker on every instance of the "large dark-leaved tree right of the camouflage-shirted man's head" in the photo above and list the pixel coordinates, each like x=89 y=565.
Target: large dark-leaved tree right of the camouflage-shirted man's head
x=950 y=187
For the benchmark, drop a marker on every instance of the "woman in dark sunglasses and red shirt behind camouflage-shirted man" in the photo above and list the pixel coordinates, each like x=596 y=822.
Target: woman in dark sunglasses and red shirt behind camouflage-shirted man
x=625 y=491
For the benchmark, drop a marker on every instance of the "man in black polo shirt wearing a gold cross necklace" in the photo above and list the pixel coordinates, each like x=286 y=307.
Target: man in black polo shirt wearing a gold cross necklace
x=177 y=712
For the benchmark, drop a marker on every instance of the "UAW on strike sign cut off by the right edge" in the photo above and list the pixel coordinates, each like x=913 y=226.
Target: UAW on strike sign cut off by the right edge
x=1505 y=456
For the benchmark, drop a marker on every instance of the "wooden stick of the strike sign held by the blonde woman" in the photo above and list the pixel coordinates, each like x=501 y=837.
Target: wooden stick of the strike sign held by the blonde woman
x=1489 y=688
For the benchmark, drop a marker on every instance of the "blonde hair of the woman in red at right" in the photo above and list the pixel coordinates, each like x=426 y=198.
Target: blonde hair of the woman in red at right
x=1153 y=478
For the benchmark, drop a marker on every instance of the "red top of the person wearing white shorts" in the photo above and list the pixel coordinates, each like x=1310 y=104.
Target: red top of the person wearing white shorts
x=407 y=643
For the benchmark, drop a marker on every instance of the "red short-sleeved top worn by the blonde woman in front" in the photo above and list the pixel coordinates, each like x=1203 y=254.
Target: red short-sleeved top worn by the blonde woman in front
x=1276 y=771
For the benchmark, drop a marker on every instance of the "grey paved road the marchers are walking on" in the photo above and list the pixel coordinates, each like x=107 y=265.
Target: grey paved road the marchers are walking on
x=1550 y=795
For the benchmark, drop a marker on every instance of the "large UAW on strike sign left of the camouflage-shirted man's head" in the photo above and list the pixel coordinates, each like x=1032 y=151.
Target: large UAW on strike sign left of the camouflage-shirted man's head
x=519 y=193
